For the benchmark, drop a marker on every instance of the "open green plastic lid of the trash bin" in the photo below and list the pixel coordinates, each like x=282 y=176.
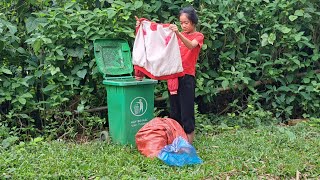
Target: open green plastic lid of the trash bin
x=113 y=56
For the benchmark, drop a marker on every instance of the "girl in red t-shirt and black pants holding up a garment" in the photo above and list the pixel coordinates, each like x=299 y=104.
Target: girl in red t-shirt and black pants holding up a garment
x=190 y=42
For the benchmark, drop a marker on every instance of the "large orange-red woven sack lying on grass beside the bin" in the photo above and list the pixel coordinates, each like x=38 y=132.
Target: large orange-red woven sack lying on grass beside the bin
x=156 y=134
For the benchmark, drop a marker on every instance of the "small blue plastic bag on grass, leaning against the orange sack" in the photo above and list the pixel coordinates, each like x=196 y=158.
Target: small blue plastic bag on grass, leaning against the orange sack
x=179 y=153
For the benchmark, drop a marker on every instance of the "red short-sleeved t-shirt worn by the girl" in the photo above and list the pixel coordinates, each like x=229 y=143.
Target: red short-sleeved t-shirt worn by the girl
x=190 y=56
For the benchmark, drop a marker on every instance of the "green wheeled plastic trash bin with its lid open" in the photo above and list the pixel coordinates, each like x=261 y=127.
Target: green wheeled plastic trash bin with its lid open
x=130 y=102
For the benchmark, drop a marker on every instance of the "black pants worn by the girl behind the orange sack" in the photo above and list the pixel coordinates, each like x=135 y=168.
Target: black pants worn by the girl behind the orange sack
x=182 y=104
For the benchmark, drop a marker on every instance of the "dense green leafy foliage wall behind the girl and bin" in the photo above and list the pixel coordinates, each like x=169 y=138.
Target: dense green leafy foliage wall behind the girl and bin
x=266 y=52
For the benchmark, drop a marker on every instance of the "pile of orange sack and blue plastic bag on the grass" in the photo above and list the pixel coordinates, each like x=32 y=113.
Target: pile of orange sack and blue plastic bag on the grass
x=165 y=138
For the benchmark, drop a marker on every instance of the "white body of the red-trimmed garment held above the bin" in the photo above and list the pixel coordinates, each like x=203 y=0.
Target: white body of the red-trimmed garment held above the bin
x=156 y=49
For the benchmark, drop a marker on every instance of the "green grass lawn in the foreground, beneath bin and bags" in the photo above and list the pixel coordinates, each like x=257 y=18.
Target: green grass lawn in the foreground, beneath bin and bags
x=265 y=152
